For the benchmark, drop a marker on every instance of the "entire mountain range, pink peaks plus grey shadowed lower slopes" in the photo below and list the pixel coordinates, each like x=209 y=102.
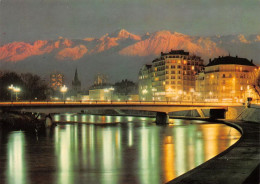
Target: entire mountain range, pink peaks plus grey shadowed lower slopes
x=120 y=51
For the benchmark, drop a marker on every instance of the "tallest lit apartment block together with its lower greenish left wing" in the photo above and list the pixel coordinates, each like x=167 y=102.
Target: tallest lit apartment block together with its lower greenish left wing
x=172 y=76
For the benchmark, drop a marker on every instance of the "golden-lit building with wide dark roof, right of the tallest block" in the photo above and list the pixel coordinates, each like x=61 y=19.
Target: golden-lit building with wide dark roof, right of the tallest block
x=228 y=79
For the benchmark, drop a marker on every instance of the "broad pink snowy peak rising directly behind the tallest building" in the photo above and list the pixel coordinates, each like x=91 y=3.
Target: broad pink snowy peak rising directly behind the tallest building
x=164 y=41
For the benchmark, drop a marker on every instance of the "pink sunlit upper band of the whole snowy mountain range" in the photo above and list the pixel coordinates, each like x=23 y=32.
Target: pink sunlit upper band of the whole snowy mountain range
x=122 y=42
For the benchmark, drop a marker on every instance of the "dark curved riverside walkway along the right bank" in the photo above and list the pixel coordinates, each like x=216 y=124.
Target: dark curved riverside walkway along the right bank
x=238 y=164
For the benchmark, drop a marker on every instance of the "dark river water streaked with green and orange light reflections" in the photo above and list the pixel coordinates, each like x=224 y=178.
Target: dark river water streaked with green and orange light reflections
x=94 y=151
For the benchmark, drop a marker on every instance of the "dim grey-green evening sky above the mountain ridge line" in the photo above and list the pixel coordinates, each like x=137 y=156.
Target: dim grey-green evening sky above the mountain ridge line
x=29 y=20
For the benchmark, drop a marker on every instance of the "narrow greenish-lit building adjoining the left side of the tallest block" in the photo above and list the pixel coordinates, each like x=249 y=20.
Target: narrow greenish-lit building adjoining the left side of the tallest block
x=145 y=83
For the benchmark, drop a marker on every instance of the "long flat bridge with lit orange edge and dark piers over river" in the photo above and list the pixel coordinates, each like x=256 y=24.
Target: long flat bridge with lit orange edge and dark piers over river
x=162 y=108
